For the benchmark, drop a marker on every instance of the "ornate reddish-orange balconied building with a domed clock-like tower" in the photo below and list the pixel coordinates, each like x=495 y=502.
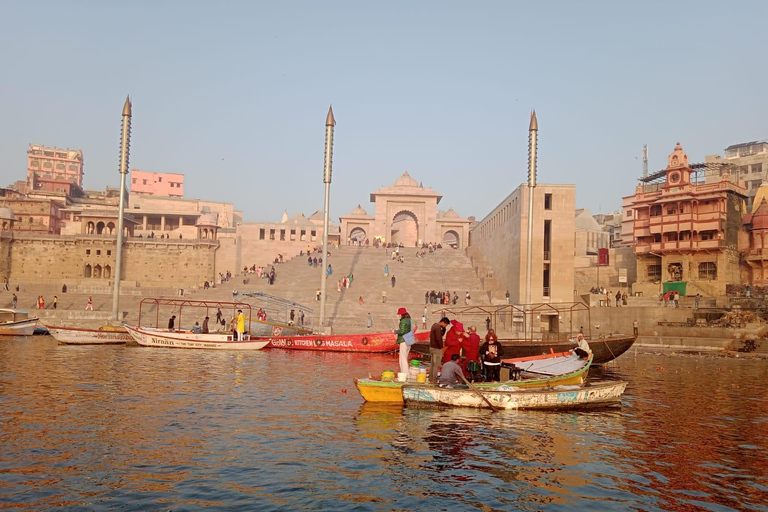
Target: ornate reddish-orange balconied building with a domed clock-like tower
x=685 y=231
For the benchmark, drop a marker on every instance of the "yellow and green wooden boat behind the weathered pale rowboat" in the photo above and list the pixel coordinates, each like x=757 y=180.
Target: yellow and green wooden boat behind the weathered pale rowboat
x=373 y=390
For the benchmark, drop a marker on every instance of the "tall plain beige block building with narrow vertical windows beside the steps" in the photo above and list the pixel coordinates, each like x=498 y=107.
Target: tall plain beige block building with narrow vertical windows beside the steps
x=499 y=242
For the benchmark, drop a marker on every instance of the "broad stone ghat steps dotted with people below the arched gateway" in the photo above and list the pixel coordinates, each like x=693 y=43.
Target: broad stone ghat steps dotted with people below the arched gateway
x=446 y=269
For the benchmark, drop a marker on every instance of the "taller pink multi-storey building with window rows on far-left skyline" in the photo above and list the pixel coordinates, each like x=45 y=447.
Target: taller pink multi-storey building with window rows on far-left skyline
x=54 y=169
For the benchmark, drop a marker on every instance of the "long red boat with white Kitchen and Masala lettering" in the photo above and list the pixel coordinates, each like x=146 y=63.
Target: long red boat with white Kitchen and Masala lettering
x=375 y=342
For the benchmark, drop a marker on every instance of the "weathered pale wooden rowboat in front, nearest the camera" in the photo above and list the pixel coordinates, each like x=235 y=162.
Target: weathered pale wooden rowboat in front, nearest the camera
x=560 y=397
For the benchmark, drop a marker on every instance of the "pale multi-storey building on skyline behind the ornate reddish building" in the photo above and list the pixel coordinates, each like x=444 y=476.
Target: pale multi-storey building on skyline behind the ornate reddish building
x=747 y=161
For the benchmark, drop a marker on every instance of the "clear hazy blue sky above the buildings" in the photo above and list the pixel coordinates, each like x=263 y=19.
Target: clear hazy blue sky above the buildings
x=234 y=95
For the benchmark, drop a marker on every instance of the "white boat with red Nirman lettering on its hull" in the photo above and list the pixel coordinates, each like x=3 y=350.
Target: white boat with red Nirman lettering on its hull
x=147 y=337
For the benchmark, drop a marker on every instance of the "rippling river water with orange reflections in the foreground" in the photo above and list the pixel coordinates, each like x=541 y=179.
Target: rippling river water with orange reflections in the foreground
x=123 y=428
